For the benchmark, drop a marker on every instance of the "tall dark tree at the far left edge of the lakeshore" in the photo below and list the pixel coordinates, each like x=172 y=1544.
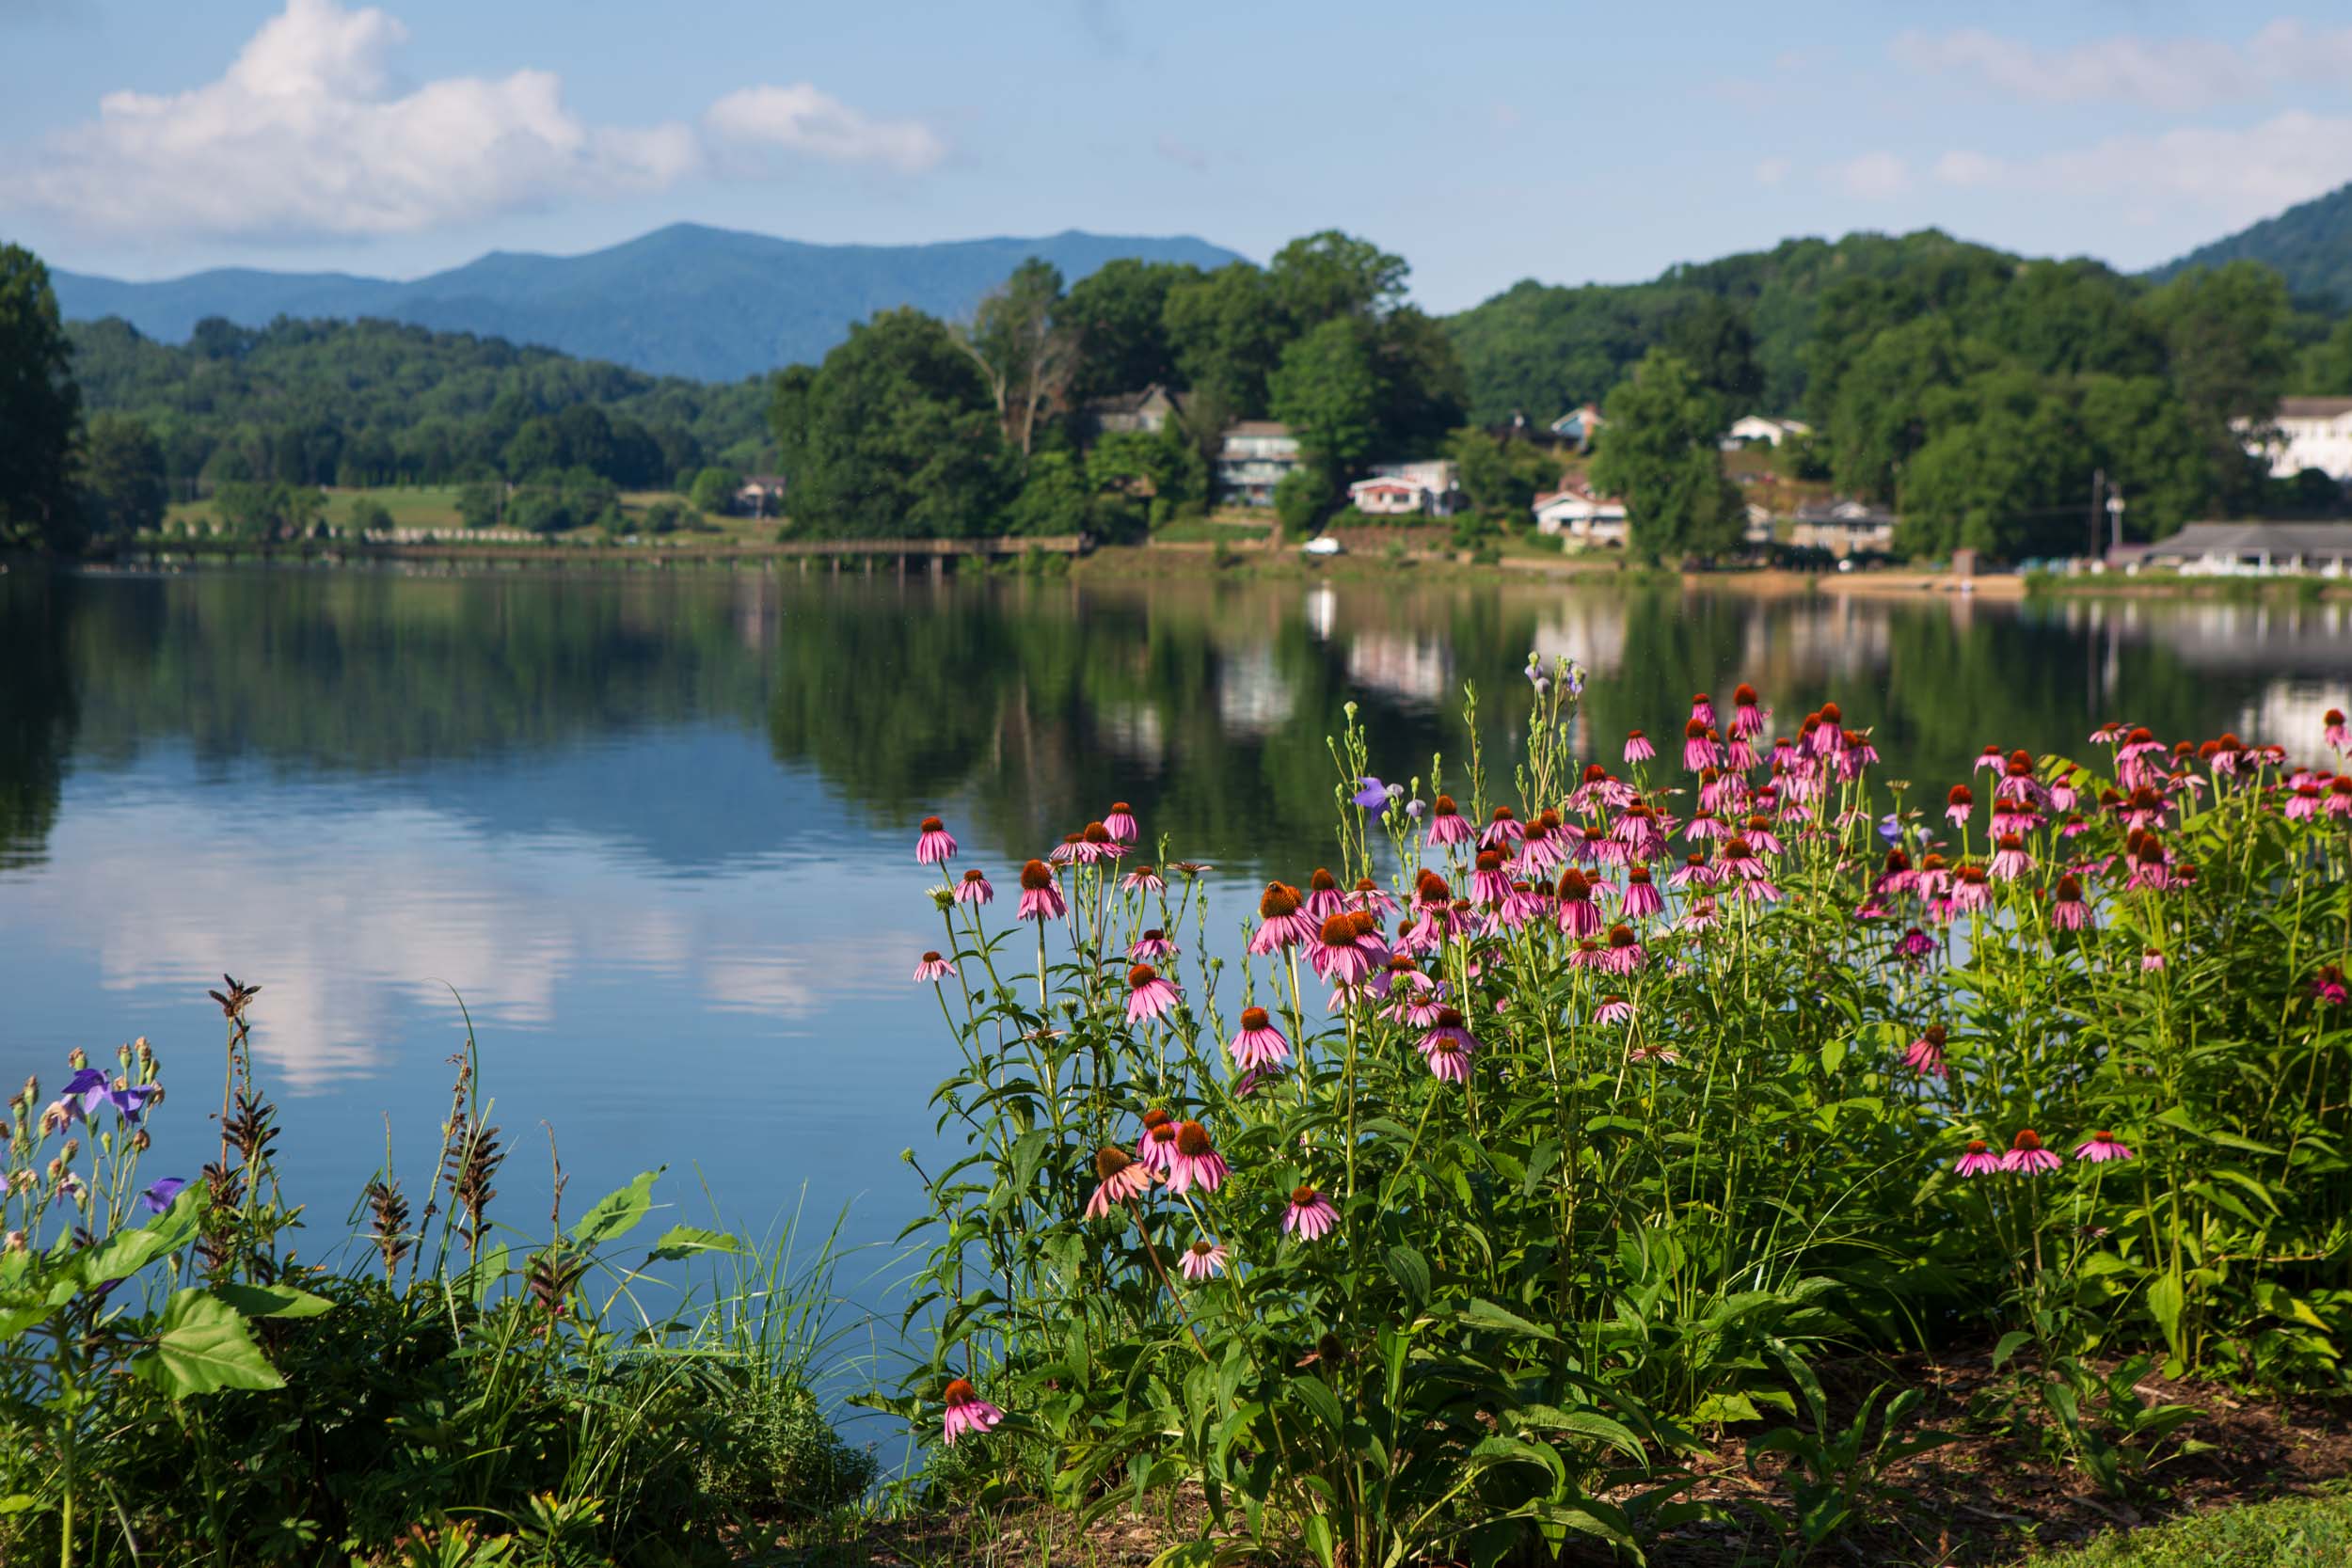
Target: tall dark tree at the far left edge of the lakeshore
x=39 y=410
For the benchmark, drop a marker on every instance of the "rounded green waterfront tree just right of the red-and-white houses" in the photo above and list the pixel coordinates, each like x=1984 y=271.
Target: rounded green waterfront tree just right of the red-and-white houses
x=1662 y=455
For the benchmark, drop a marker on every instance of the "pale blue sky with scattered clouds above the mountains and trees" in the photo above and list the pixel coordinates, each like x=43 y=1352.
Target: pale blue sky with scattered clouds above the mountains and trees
x=1485 y=142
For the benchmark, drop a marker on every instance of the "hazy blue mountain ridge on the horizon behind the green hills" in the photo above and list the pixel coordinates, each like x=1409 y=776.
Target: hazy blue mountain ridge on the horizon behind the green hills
x=683 y=302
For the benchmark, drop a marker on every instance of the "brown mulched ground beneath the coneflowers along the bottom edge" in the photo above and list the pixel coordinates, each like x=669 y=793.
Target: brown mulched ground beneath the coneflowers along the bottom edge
x=1975 y=1503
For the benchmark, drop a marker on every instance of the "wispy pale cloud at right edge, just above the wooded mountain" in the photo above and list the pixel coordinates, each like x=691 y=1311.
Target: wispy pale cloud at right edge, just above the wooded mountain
x=2226 y=177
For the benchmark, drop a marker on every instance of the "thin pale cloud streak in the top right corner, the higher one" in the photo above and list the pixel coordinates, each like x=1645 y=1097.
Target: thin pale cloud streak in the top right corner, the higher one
x=2170 y=74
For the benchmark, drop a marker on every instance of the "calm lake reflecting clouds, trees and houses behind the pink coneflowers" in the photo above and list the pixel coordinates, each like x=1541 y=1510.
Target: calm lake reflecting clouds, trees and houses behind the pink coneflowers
x=657 y=829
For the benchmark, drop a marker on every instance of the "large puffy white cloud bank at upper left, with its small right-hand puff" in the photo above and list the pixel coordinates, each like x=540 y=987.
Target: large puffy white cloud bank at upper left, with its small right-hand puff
x=309 y=135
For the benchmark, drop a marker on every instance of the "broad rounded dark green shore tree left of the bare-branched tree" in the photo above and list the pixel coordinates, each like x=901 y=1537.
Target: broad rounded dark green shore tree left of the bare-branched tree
x=893 y=436
